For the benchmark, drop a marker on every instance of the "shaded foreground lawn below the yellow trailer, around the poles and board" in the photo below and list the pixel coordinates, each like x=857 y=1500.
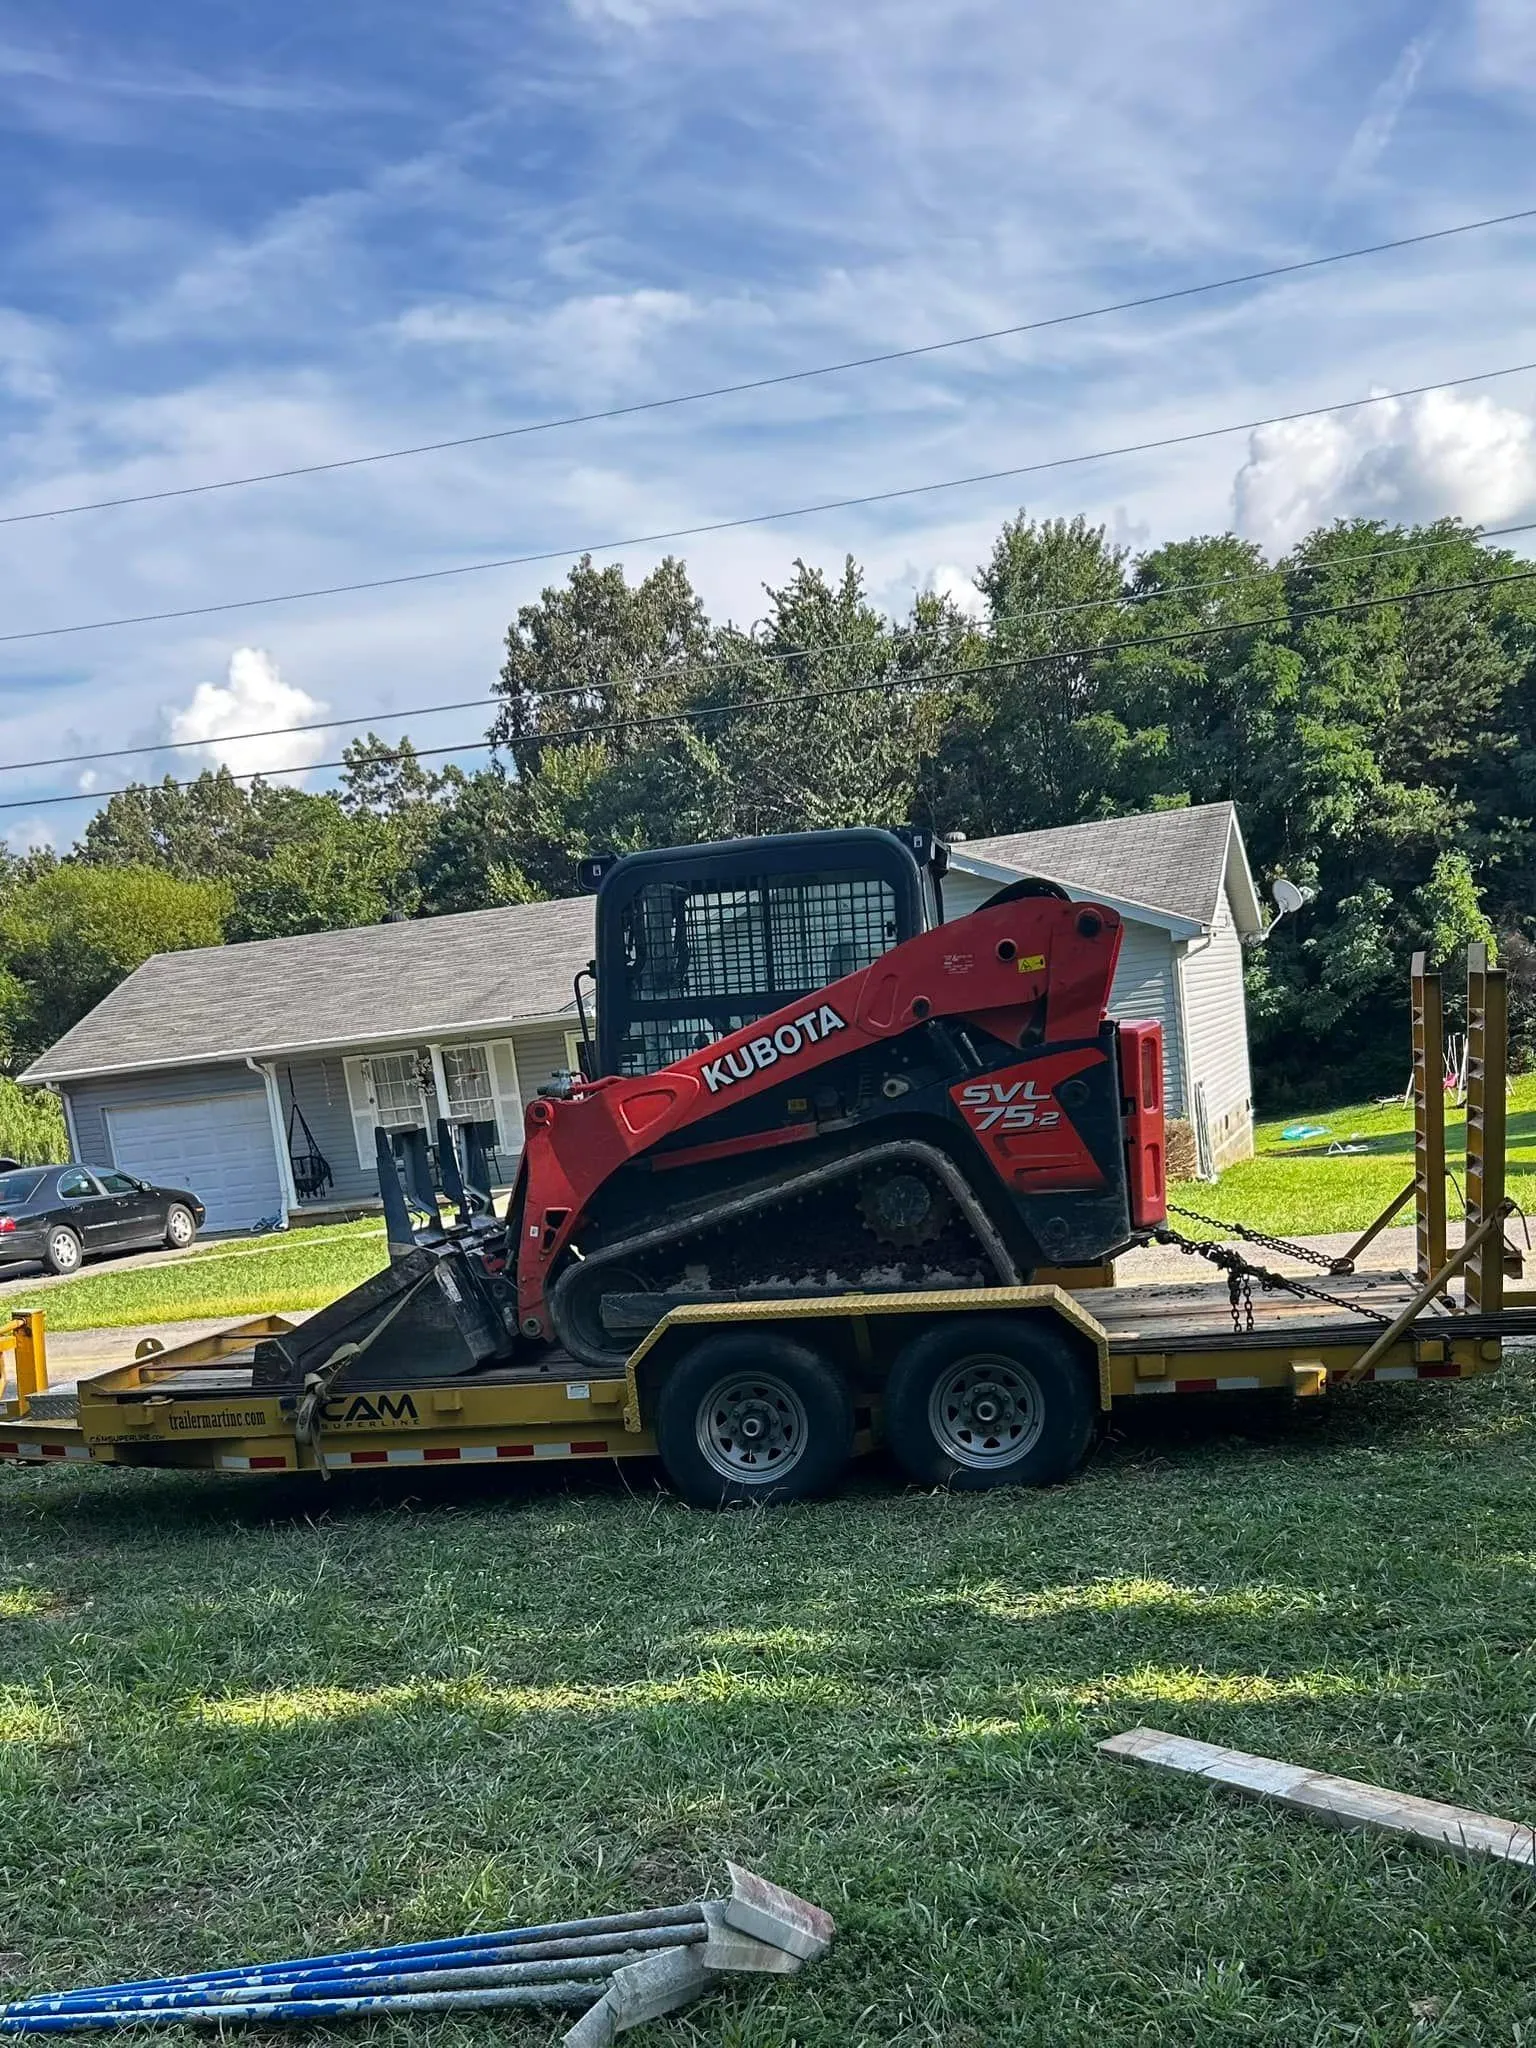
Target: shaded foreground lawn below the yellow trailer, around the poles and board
x=257 y=1719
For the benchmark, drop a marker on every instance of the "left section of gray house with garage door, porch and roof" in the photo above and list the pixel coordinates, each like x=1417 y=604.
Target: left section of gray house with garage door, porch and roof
x=232 y=1070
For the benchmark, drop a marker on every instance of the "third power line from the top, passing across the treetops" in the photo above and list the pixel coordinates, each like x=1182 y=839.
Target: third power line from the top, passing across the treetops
x=785 y=654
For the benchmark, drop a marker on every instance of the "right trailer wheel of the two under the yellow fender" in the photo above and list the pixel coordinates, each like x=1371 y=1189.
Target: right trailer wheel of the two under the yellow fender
x=990 y=1402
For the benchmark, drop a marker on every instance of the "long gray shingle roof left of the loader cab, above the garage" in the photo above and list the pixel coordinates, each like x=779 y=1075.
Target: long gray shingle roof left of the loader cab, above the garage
x=333 y=988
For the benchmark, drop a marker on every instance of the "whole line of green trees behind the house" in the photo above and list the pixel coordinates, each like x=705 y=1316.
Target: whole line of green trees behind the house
x=1369 y=701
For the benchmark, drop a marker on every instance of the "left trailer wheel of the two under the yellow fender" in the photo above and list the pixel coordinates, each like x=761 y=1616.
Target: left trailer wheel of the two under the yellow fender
x=753 y=1418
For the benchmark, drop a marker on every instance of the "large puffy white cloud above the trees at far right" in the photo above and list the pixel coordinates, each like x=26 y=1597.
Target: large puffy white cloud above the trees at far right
x=1406 y=460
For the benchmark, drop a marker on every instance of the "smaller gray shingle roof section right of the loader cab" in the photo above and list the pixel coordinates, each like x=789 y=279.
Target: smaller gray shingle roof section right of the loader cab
x=1170 y=861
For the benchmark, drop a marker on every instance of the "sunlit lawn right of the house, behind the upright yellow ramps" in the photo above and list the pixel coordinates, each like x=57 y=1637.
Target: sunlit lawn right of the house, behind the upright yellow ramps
x=1299 y=1189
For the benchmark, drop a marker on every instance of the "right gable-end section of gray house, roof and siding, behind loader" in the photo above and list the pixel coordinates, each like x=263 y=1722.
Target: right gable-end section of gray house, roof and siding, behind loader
x=1185 y=890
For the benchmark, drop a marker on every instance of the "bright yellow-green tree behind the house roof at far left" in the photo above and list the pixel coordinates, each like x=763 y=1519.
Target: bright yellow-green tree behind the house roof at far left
x=73 y=933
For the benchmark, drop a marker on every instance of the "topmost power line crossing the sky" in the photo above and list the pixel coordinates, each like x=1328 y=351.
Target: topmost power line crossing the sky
x=781 y=378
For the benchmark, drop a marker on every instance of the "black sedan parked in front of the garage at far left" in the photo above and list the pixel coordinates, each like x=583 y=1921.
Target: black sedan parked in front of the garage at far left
x=71 y=1213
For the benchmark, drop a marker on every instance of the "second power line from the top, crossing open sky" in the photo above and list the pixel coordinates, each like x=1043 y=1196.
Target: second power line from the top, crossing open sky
x=765 y=519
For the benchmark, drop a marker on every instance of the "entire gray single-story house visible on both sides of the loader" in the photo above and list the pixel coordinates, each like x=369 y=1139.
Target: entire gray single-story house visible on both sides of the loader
x=259 y=1074
